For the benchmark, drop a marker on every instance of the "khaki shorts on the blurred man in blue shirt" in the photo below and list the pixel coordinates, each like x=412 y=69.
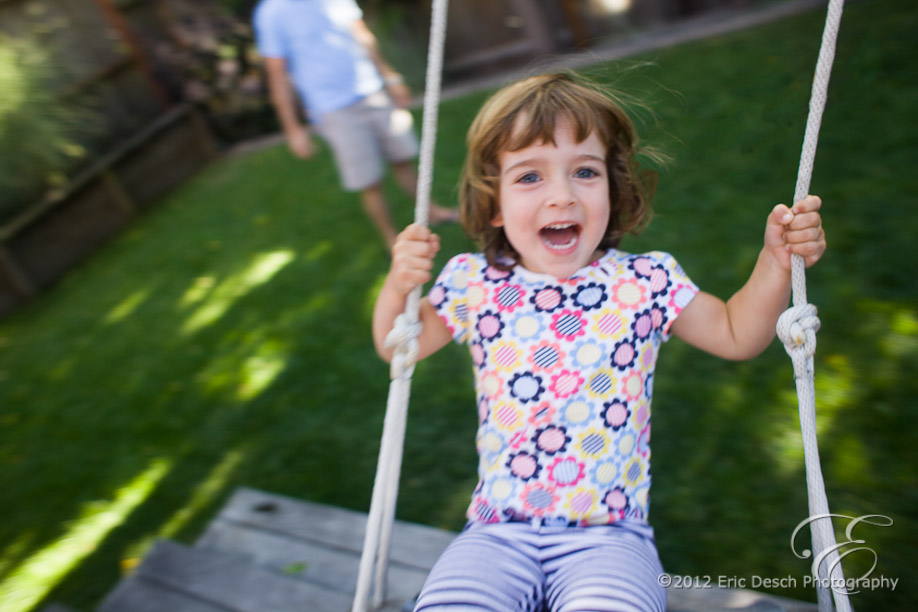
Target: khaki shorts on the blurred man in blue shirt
x=365 y=135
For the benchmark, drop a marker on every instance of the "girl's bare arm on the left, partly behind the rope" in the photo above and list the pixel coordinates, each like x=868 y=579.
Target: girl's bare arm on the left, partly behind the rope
x=412 y=262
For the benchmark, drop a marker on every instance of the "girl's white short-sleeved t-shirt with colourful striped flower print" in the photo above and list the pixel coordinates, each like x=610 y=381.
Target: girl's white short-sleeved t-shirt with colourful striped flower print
x=563 y=381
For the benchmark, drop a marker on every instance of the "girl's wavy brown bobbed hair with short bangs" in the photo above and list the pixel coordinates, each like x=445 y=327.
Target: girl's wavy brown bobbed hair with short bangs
x=544 y=100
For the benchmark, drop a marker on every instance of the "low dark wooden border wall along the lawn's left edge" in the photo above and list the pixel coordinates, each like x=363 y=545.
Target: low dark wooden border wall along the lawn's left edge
x=41 y=244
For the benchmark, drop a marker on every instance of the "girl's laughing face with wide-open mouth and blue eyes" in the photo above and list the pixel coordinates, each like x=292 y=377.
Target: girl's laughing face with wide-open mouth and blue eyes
x=554 y=202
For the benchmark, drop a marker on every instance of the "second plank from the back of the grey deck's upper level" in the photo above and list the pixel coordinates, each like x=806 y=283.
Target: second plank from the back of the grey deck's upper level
x=301 y=560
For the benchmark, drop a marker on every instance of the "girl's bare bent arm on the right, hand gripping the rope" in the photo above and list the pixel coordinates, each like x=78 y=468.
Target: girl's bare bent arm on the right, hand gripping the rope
x=744 y=326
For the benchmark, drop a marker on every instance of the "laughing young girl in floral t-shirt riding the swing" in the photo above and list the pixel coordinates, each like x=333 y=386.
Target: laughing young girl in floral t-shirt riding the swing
x=563 y=331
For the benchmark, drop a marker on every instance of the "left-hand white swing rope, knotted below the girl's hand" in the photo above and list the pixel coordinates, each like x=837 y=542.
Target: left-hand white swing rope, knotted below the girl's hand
x=404 y=339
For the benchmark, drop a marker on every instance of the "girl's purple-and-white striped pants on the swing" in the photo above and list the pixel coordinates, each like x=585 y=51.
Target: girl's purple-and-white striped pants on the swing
x=516 y=567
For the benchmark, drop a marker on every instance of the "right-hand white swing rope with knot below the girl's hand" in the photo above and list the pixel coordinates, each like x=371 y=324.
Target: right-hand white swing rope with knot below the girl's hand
x=797 y=329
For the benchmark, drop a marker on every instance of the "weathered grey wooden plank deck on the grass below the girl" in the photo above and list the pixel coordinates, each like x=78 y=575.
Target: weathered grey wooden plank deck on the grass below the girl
x=266 y=552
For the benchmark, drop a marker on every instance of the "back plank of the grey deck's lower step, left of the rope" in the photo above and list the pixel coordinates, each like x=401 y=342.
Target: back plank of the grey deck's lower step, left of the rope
x=237 y=586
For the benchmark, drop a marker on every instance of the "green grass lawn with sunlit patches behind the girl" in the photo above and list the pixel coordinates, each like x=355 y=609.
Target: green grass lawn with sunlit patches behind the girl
x=224 y=339
